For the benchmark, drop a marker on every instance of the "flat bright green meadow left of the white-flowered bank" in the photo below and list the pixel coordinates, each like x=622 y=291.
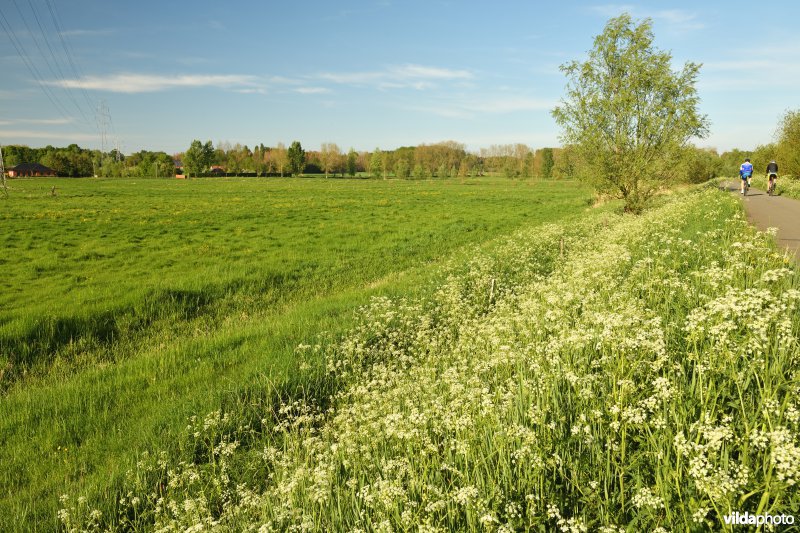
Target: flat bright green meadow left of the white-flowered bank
x=132 y=304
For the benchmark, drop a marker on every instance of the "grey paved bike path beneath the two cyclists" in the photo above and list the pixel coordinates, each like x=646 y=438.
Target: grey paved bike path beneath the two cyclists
x=766 y=211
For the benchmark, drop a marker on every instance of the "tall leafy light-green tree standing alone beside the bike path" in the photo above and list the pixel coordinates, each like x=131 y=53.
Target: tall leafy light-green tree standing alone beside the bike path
x=628 y=115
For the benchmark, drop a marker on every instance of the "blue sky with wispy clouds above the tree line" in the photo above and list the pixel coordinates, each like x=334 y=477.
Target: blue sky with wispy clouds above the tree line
x=362 y=74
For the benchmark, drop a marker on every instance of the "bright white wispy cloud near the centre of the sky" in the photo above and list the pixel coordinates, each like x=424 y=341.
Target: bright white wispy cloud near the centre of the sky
x=396 y=77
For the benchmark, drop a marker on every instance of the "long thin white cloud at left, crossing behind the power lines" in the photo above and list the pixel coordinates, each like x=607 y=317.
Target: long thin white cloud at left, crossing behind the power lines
x=142 y=83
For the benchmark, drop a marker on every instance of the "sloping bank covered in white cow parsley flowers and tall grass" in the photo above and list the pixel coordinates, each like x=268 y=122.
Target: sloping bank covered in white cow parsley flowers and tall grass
x=614 y=374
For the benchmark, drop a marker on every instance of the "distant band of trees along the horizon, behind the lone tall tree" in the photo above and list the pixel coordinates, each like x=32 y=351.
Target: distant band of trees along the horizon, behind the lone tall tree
x=437 y=160
